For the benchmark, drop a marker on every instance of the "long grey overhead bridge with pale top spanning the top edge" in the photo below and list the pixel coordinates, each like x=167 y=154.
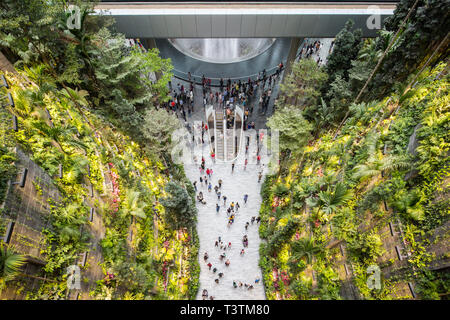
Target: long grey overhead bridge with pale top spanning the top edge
x=320 y=19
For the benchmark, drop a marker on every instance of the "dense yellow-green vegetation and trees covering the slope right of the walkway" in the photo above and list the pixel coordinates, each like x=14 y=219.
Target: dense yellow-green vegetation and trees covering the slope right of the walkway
x=326 y=214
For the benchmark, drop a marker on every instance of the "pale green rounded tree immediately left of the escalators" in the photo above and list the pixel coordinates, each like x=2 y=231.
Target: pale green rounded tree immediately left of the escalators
x=158 y=127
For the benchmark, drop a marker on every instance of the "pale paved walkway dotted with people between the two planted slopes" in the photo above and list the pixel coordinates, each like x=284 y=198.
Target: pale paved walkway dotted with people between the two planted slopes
x=211 y=224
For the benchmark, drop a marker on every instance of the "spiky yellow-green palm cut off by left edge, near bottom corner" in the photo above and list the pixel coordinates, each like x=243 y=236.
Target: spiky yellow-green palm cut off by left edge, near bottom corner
x=10 y=264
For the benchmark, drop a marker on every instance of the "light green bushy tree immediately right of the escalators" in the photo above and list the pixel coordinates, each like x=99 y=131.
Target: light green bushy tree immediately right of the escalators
x=294 y=129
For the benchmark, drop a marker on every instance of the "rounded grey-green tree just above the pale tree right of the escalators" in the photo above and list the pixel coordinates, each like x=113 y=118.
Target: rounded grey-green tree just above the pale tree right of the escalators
x=303 y=84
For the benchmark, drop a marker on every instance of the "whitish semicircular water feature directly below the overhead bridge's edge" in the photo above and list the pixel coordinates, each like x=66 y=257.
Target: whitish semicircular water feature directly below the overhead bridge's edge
x=218 y=50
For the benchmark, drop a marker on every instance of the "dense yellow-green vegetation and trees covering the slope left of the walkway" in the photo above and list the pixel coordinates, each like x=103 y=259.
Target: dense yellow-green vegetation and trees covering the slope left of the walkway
x=81 y=100
